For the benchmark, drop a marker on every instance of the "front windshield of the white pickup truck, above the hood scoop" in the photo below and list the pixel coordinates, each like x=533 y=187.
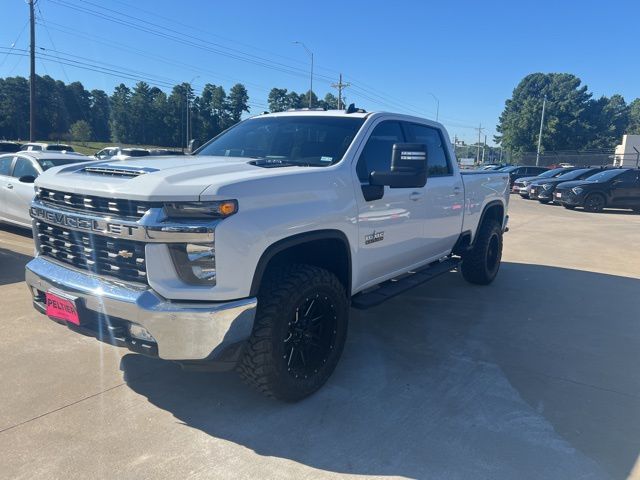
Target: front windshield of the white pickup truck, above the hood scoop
x=287 y=140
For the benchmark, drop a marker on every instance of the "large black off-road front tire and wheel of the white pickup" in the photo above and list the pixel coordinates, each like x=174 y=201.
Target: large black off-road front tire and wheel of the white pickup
x=266 y=363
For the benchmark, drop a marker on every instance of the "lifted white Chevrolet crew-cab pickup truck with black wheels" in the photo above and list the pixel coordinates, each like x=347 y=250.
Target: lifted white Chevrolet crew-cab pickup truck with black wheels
x=250 y=253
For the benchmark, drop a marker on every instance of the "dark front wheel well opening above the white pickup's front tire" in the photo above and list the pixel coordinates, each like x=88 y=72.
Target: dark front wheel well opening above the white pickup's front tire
x=326 y=249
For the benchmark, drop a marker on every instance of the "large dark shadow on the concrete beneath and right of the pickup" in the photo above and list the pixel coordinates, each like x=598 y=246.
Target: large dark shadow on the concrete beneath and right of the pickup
x=533 y=377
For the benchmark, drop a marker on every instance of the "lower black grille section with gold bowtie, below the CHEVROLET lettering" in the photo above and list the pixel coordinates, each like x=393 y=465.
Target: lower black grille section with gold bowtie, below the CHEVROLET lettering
x=122 y=259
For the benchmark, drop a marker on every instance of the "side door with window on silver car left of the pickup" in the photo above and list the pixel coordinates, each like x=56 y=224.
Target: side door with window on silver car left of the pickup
x=19 y=195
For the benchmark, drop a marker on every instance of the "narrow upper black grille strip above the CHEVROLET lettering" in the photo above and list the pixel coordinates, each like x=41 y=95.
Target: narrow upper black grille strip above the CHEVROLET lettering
x=96 y=205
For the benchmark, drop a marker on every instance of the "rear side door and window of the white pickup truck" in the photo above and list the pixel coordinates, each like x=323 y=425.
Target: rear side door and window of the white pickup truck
x=444 y=201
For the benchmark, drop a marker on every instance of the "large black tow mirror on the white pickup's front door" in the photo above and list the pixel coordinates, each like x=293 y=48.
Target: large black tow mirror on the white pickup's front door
x=408 y=167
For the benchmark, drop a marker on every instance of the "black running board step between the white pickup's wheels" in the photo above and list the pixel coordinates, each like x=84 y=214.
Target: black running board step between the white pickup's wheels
x=396 y=286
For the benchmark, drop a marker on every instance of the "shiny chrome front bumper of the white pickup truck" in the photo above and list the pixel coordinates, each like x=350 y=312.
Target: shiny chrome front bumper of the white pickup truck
x=182 y=330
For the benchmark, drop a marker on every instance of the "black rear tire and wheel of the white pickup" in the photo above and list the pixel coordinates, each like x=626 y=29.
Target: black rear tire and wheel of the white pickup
x=480 y=265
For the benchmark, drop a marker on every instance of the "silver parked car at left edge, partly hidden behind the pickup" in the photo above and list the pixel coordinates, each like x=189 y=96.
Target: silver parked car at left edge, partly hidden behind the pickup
x=17 y=174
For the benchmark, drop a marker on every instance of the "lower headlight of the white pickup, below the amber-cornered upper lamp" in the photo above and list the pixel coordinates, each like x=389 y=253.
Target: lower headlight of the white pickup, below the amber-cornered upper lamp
x=195 y=263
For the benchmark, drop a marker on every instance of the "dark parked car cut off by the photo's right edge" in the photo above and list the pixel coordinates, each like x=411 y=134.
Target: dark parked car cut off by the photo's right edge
x=615 y=188
